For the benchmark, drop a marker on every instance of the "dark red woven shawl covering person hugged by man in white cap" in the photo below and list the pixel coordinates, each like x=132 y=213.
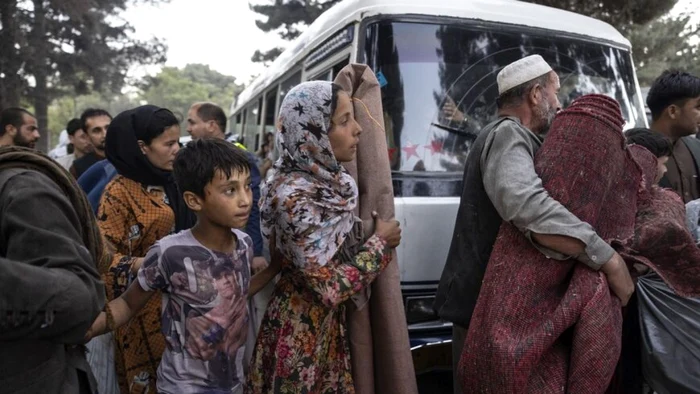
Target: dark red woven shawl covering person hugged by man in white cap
x=546 y=326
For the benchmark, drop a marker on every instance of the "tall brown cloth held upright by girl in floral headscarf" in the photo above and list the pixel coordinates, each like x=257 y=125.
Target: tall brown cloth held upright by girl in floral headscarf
x=380 y=349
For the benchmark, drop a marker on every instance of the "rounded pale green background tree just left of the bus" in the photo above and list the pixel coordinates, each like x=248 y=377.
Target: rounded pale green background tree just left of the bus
x=177 y=89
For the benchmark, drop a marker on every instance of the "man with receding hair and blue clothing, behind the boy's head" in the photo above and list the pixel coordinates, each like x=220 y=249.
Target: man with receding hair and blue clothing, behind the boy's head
x=208 y=120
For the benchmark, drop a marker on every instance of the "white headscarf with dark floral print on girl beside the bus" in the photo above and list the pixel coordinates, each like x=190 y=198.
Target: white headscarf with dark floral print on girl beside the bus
x=310 y=198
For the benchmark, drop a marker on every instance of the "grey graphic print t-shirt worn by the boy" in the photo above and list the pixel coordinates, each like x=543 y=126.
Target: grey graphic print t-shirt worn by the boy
x=205 y=312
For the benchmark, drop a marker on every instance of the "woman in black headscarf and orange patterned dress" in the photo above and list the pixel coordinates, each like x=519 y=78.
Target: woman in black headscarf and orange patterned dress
x=140 y=206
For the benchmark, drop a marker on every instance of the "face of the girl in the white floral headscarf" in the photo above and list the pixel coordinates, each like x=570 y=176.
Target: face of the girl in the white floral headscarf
x=344 y=134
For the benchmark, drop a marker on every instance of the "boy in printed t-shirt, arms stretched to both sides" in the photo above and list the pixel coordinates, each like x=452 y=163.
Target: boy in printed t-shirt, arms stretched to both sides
x=204 y=275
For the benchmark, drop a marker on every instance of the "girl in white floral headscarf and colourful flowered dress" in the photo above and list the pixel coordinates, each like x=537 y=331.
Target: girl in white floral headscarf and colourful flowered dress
x=307 y=211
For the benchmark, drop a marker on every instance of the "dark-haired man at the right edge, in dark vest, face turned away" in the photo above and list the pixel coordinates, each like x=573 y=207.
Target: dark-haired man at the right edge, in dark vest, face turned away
x=674 y=101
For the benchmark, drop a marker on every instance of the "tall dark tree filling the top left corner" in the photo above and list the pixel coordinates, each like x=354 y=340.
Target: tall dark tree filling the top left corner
x=50 y=48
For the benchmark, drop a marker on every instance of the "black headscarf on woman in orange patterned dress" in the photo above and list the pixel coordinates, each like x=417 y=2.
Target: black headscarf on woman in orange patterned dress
x=124 y=153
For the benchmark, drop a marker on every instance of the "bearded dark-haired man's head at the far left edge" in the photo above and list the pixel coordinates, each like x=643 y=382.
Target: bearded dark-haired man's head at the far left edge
x=18 y=127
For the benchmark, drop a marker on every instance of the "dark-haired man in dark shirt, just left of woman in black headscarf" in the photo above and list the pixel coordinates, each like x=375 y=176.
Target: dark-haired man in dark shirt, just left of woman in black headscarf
x=94 y=122
